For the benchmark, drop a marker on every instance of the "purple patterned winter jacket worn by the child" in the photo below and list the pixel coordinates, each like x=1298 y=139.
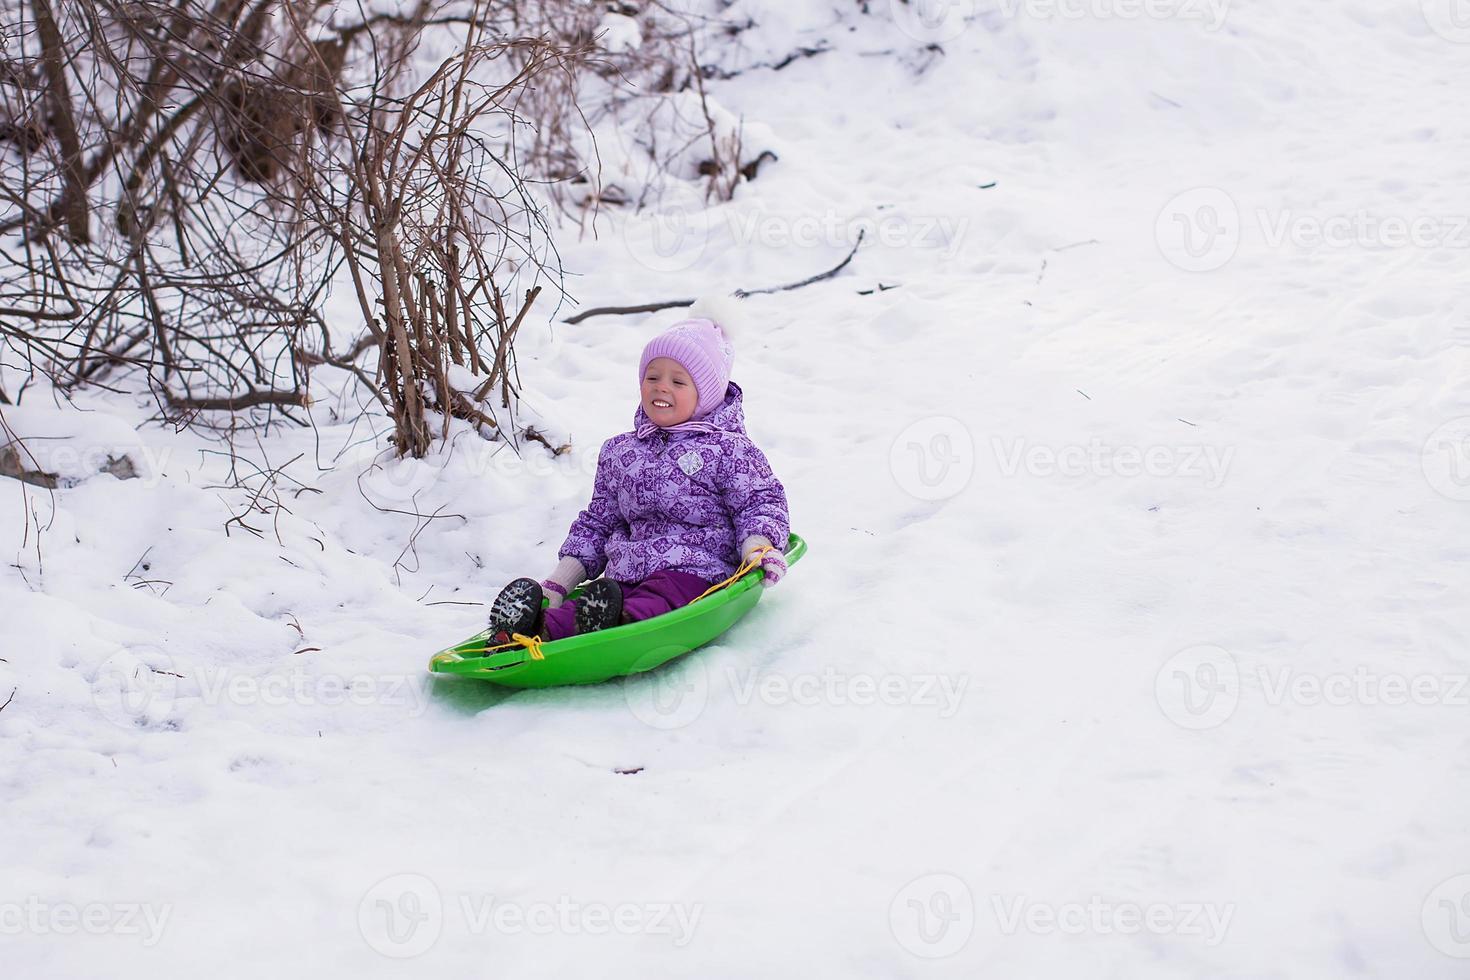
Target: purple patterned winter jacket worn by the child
x=678 y=500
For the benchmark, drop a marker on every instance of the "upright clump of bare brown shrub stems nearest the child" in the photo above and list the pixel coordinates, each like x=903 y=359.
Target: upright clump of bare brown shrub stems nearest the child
x=427 y=223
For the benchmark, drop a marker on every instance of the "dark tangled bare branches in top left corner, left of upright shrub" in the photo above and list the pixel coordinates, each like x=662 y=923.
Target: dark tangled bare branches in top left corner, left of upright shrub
x=137 y=234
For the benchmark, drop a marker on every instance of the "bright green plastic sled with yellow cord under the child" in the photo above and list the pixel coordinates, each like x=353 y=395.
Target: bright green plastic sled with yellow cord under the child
x=612 y=653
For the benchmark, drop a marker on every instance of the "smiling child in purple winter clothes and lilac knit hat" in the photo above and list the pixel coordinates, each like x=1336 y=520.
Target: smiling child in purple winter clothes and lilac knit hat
x=677 y=506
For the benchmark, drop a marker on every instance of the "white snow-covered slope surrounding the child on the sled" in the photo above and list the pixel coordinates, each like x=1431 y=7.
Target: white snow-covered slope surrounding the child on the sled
x=1133 y=640
